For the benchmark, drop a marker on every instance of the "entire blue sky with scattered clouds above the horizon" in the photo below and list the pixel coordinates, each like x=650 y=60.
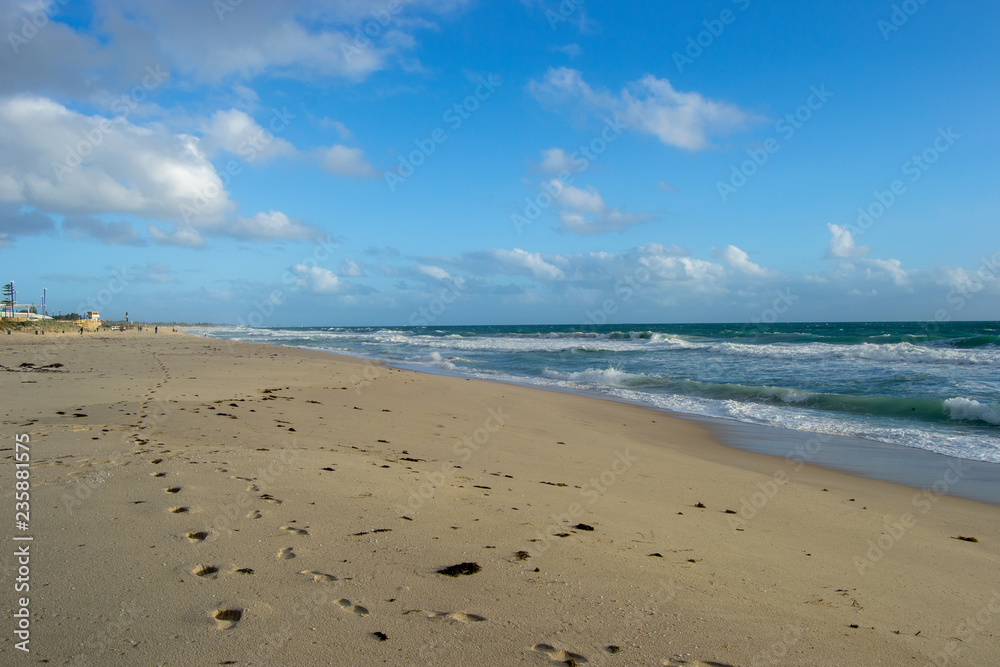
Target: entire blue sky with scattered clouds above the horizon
x=442 y=162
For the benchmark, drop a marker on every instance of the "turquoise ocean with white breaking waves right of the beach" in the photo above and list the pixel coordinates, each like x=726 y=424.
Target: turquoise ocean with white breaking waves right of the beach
x=932 y=386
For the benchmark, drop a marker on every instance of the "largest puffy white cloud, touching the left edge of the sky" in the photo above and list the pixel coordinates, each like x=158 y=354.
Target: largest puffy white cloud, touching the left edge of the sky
x=59 y=160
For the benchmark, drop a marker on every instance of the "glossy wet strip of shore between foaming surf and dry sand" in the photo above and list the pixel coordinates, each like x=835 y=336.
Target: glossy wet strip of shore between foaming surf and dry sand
x=913 y=467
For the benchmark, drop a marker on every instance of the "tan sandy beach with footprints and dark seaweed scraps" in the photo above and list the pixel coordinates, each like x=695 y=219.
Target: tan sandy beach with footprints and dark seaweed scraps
x=197 y=502
